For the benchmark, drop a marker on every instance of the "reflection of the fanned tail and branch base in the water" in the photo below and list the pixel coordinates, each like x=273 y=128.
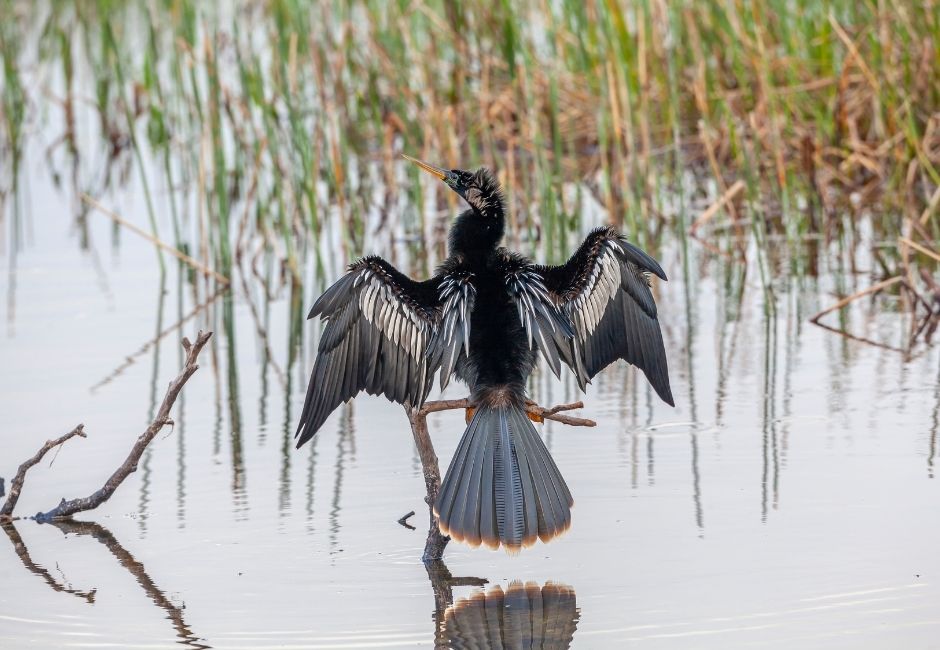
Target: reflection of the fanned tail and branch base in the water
x=521 y=616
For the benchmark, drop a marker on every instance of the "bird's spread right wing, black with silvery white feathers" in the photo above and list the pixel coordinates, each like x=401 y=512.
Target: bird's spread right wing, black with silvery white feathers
x=604 y=290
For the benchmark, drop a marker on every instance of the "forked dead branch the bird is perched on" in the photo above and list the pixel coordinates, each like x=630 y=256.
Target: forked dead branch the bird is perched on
x=418 y=417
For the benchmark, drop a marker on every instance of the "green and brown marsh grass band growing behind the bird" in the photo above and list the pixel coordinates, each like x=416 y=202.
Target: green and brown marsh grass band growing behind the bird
x=274 y=128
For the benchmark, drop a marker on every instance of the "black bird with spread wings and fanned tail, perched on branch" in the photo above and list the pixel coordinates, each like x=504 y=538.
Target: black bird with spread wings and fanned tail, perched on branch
x=484 y=317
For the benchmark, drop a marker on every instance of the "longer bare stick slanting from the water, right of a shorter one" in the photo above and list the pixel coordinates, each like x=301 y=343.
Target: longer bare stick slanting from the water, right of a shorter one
x=68 y=508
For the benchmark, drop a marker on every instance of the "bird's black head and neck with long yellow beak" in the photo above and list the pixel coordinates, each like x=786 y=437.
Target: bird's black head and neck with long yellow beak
x=482 y=226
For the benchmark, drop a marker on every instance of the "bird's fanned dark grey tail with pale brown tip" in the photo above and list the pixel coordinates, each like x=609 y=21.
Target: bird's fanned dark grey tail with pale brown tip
x=502 y=486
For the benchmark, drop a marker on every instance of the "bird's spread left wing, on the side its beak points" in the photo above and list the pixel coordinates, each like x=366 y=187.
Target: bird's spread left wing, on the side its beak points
x=385 y=334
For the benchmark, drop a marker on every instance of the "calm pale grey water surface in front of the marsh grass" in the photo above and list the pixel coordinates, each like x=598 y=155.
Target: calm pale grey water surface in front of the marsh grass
x=789 y=499
